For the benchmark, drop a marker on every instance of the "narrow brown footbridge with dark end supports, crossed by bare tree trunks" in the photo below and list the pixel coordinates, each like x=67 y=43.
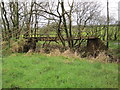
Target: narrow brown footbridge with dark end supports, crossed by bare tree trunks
x=93 y=43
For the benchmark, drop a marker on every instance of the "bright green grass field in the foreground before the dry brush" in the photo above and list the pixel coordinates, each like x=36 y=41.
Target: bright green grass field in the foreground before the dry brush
x=40 y=71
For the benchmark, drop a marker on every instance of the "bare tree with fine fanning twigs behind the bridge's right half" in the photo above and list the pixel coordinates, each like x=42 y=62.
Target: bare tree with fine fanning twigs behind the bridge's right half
x=85 y=11
